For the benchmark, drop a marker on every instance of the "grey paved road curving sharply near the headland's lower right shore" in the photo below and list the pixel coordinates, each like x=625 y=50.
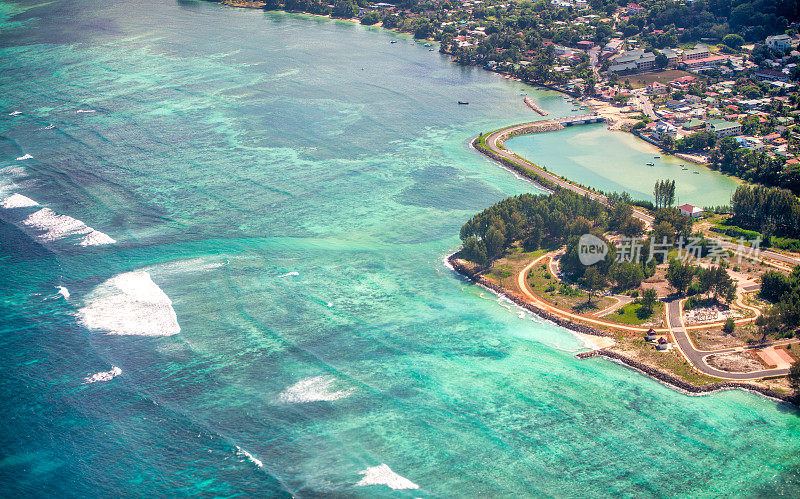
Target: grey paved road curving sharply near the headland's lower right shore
x=698 y=357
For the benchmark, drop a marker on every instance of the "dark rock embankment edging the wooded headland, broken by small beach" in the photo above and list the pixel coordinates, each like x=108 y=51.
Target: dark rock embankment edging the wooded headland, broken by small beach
x=661 y=376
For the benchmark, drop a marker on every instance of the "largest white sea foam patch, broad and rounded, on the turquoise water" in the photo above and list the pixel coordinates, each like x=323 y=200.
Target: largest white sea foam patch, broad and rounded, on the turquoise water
x=129 y=304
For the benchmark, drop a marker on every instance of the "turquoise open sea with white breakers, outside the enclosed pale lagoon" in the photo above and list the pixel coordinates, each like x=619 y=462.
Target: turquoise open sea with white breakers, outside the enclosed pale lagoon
x=231 y=282
